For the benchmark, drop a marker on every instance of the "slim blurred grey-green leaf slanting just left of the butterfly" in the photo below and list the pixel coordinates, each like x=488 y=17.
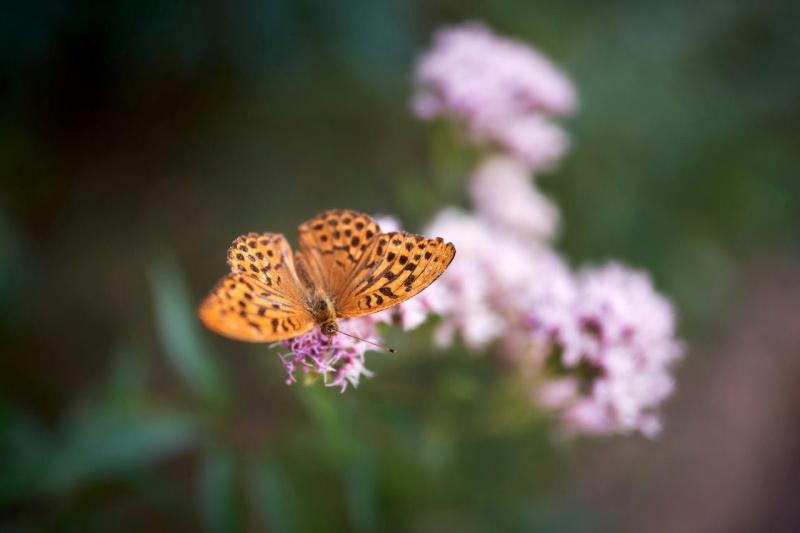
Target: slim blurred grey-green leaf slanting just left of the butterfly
x=179 y=332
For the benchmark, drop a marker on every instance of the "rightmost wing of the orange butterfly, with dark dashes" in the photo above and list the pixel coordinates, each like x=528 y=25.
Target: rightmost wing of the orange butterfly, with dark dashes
x=397 y=266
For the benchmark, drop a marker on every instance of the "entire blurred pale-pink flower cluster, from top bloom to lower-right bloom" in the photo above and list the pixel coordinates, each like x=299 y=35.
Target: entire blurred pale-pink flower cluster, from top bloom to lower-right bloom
x=598 y=344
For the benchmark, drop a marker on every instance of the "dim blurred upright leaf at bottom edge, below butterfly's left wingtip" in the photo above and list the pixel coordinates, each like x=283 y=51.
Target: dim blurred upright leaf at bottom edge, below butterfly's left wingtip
x=218 y=492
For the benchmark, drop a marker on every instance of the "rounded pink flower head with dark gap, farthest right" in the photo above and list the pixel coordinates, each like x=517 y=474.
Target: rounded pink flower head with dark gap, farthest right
x=613 y=351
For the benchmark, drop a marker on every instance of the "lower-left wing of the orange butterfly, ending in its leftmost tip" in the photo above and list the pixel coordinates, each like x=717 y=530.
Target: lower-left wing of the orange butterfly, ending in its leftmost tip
x=243 y=308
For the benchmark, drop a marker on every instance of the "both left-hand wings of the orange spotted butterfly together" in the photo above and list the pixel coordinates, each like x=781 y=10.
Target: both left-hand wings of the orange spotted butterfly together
x=262 y=299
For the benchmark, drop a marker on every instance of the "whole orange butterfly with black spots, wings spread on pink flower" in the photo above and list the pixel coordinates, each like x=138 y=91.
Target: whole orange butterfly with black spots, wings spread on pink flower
x=345 y=267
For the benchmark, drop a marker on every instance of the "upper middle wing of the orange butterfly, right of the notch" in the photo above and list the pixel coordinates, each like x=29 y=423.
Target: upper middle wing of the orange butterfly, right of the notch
x=332 y=244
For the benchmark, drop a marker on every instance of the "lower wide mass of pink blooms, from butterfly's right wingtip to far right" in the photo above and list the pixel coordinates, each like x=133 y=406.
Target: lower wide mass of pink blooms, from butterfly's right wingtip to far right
x=599 y=345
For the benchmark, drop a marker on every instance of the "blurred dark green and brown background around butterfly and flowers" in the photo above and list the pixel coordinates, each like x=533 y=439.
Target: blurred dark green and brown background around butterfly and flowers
x=138 y=138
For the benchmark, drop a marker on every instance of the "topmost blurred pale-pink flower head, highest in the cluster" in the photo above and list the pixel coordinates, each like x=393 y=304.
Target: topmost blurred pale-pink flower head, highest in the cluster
x=501 y=90
